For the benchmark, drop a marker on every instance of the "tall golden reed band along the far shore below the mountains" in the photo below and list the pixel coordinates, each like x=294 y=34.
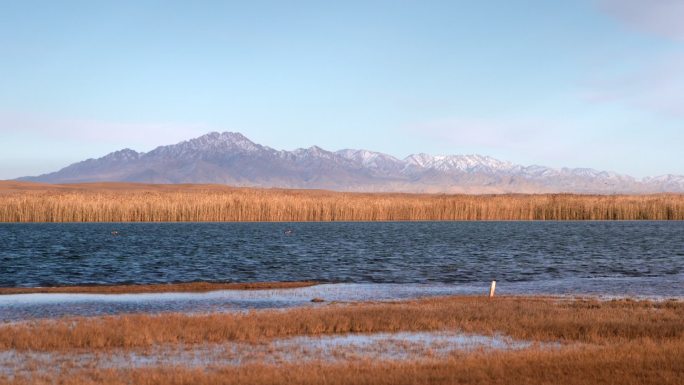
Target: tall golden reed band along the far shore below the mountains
x=120 y=202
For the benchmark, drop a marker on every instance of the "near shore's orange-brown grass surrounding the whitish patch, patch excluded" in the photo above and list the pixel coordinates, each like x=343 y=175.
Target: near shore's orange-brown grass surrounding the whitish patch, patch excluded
x=598 y=342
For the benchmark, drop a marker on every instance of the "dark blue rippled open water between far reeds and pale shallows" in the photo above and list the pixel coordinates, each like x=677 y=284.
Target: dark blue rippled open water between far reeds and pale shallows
x=404 y=252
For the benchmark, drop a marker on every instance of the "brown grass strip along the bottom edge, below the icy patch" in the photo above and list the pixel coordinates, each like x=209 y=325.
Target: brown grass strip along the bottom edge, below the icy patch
x=640 y=362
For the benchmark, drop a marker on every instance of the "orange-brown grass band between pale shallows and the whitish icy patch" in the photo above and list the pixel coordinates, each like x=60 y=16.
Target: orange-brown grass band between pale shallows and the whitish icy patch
x=538 y=319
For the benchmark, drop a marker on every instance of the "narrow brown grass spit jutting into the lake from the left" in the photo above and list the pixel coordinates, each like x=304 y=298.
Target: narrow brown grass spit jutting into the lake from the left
x=192 y=287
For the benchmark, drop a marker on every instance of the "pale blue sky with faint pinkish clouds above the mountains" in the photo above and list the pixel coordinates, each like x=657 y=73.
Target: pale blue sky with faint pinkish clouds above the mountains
x=582 y=83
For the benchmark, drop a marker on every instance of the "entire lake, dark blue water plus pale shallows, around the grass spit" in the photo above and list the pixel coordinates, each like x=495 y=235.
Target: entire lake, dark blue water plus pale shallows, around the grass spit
x=357 y=261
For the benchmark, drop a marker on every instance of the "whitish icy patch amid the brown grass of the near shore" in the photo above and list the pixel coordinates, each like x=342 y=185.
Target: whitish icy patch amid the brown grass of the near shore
x=400 y=346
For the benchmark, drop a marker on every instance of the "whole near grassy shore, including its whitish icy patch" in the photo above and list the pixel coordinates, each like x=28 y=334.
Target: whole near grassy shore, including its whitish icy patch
x=545 y=340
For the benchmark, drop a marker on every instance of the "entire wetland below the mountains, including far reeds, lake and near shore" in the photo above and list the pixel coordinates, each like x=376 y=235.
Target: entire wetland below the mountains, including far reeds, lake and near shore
x=163 y=284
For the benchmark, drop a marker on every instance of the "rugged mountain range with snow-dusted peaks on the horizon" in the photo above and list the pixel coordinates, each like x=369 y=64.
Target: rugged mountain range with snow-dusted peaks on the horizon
x=231 y=158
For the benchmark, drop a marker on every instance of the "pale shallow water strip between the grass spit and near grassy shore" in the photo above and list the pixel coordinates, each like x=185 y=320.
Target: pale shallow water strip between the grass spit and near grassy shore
x=31 y=306
